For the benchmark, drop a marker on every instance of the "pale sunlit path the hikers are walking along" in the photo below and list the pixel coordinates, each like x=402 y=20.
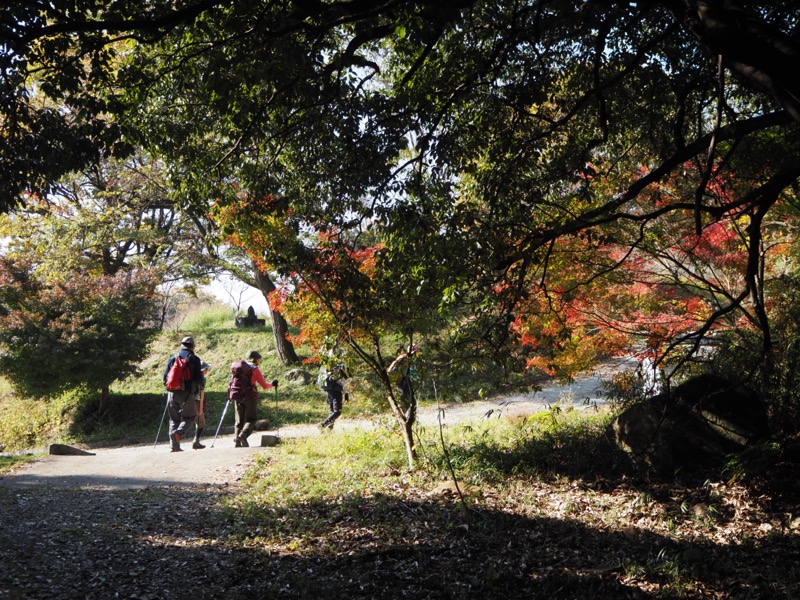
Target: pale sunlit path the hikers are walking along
x=143 y=466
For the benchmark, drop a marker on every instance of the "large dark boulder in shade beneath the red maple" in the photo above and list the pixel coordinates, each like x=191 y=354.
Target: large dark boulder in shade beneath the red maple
x=697 y=424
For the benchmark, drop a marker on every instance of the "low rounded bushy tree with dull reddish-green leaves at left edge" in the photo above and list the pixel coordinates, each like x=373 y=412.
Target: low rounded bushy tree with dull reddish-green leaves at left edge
x=80 y=332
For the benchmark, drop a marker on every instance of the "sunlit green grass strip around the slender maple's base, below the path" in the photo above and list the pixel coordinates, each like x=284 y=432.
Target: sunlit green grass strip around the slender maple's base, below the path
x=342 y=469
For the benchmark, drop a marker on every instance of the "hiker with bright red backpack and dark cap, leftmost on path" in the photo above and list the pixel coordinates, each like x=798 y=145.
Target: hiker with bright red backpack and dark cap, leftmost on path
x=182 y=378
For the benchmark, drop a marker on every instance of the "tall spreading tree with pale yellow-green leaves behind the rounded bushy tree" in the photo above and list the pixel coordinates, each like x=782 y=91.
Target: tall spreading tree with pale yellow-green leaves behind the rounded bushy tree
x=115 y=215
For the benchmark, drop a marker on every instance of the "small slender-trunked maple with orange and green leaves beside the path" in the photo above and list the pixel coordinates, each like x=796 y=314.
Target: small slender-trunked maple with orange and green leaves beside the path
x=341 y=291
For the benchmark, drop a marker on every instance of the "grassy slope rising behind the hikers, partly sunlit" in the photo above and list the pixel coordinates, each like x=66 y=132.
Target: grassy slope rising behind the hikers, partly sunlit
x=137 y=404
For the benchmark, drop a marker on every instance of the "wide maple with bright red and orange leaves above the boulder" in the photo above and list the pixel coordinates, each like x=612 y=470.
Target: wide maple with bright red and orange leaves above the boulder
x=655 y=285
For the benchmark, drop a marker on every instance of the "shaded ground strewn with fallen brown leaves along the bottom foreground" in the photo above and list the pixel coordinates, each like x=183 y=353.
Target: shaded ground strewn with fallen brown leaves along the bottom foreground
x=526 y=539
